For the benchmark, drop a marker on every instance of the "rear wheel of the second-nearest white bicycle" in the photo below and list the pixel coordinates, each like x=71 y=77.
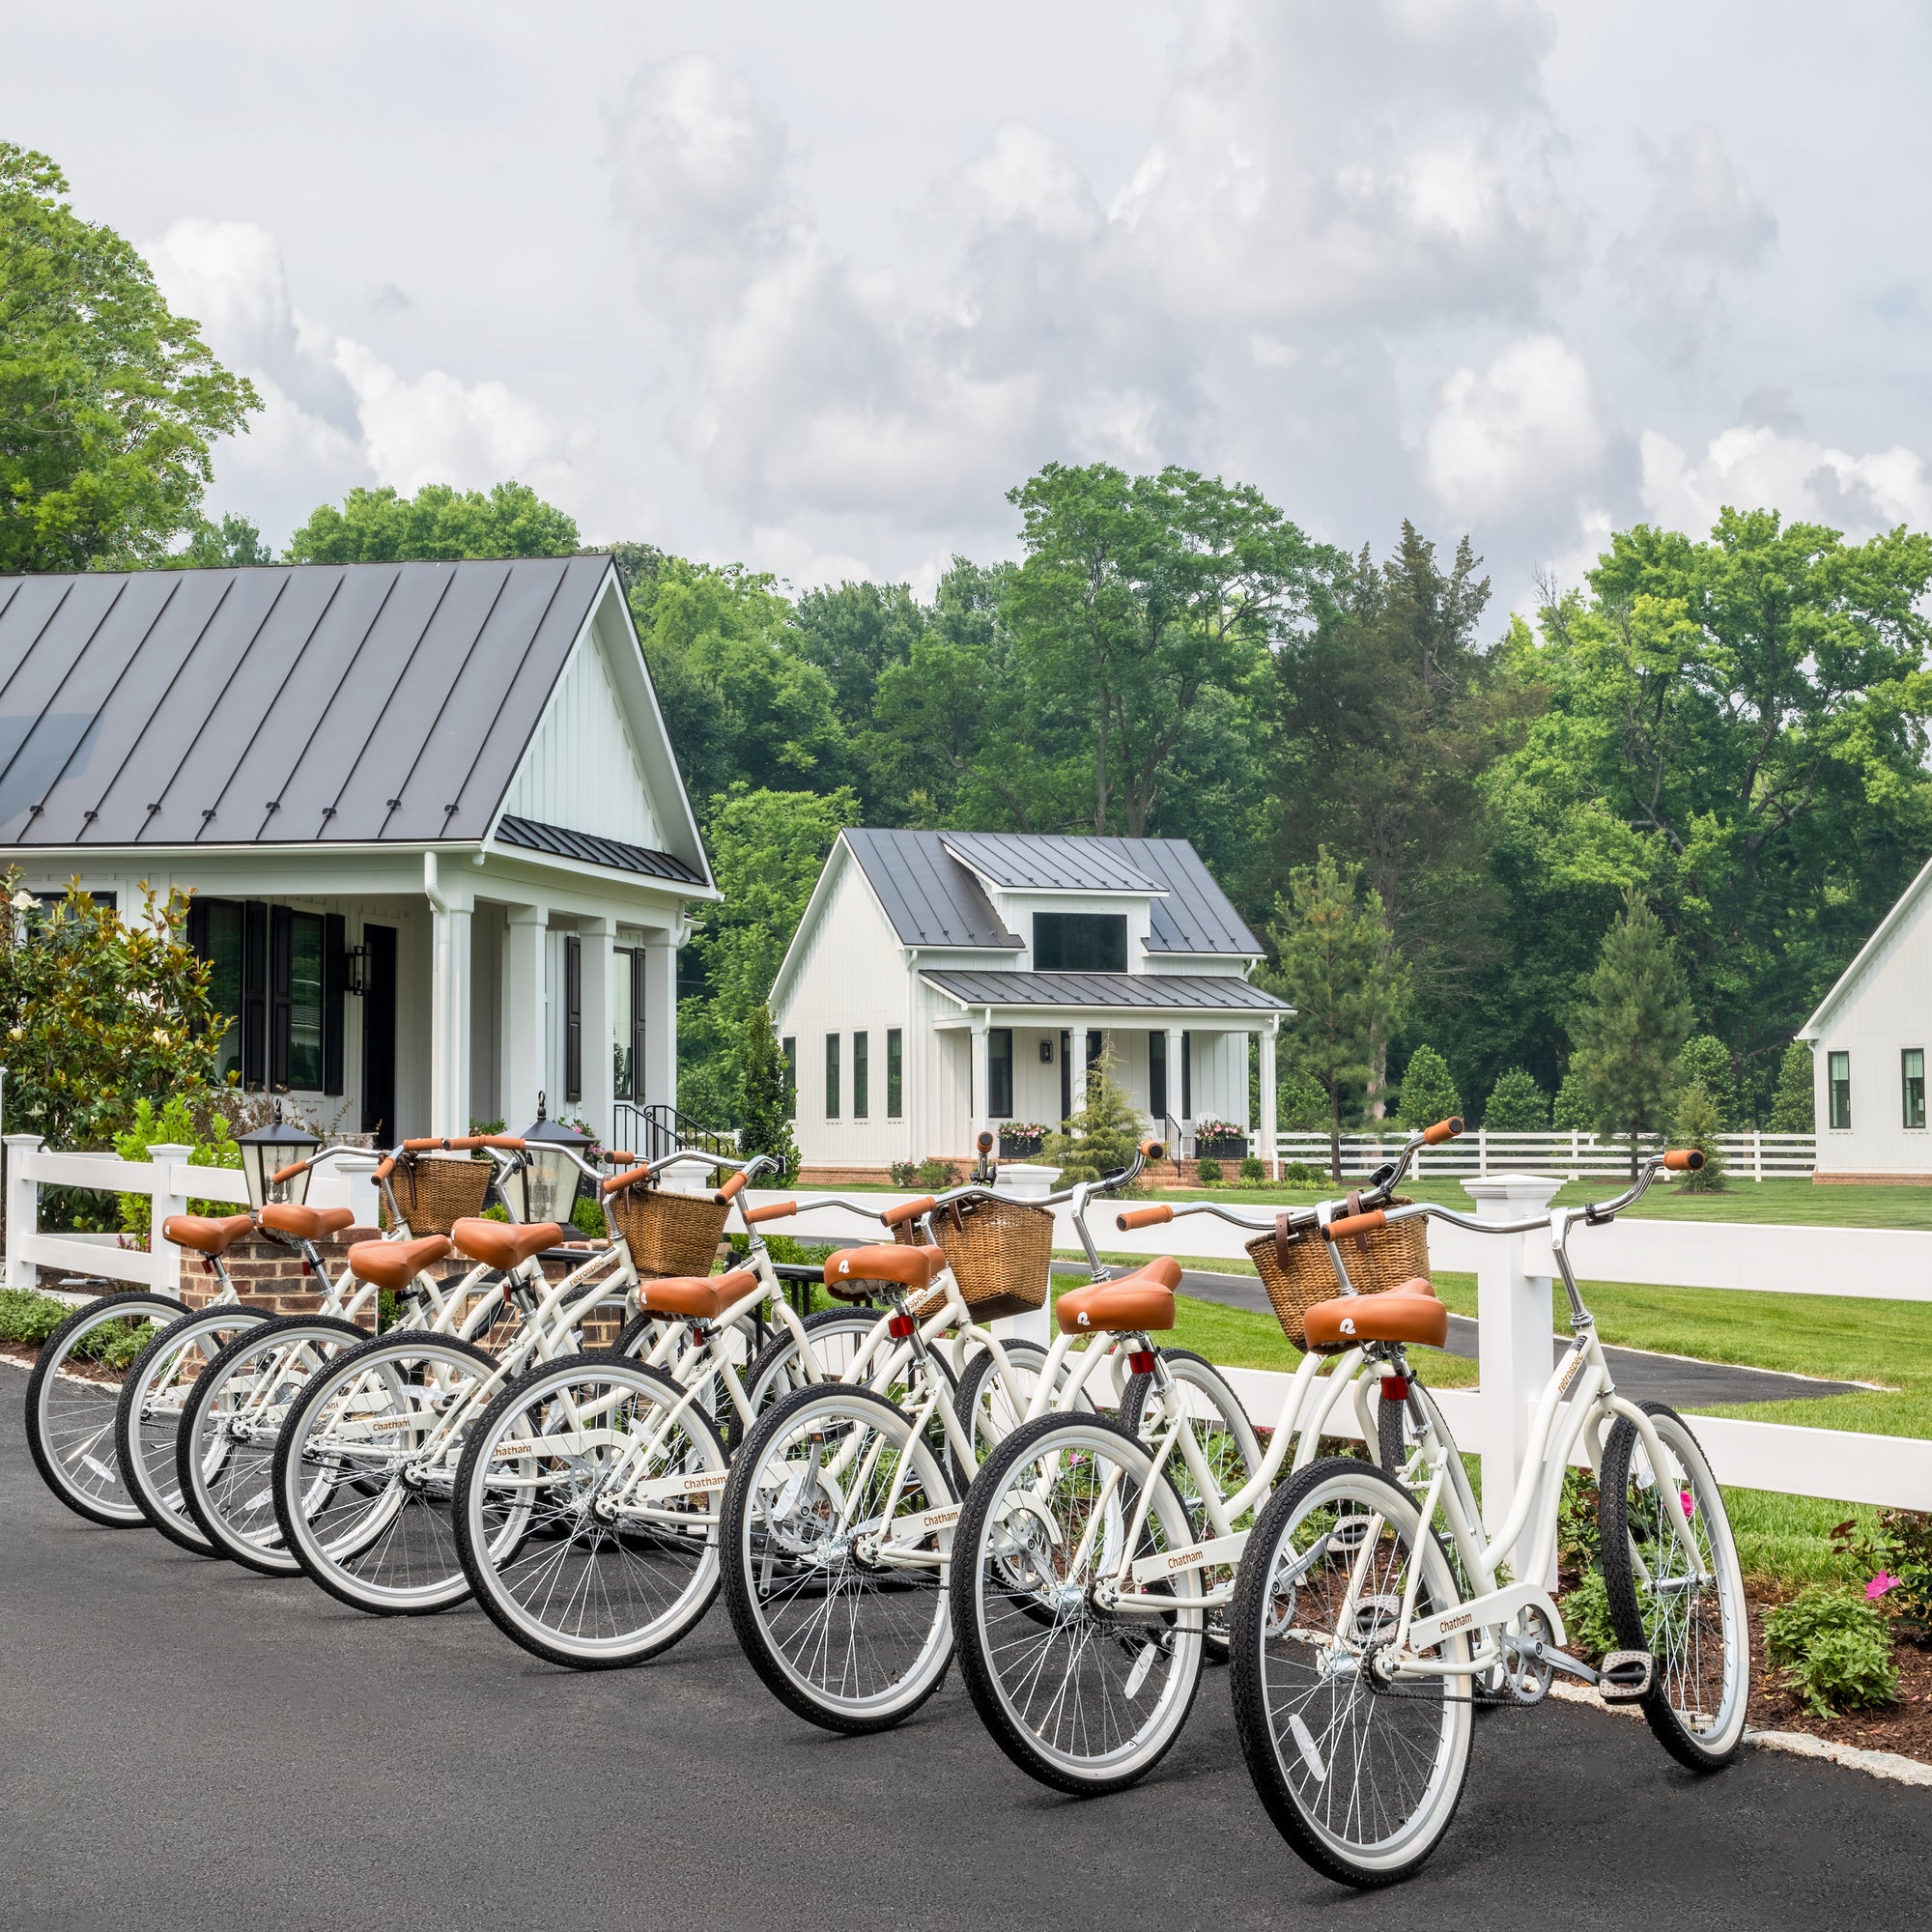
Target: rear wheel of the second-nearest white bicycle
x=1083 y=1695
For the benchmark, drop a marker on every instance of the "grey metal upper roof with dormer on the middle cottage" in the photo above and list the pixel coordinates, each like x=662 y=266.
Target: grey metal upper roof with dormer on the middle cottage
x=936 y=899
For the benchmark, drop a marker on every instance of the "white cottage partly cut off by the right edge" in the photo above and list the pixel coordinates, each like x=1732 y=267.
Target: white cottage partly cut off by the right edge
x=1871 y=1037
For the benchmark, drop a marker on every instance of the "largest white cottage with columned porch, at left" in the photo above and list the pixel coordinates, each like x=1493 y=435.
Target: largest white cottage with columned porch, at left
x=440 y=847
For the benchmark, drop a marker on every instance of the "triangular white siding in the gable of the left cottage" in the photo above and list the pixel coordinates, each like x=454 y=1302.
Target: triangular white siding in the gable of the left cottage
x=582 y=768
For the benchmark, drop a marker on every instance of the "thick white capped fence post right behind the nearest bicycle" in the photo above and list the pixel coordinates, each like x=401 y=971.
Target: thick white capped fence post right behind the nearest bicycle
x=1512 y=1338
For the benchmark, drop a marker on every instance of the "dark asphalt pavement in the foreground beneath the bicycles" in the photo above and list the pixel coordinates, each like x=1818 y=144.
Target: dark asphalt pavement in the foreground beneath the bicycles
x=192 y=1746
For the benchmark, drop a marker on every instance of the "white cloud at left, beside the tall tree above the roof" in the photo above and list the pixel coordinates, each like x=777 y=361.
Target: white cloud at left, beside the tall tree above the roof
x=335 y=414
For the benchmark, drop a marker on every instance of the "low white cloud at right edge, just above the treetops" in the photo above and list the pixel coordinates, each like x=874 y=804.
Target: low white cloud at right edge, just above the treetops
x=1807 y=482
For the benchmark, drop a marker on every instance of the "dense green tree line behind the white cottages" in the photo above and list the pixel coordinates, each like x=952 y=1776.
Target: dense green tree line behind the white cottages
x=1481 y=849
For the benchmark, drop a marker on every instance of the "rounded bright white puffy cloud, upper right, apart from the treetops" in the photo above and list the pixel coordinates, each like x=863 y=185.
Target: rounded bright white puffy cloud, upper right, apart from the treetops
x=1525 y=426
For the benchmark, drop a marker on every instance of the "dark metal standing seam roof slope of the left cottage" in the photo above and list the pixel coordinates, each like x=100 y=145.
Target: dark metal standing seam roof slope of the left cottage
x=277 y=706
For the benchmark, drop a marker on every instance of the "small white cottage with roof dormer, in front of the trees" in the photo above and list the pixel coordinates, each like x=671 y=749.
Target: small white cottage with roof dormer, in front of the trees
x=942 y=984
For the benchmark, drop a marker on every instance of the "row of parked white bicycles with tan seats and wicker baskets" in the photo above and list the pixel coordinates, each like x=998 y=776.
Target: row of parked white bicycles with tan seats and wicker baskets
x=897 y=1479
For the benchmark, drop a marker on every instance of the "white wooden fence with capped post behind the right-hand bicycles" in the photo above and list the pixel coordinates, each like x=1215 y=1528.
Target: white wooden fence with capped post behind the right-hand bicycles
x=1514 y=1280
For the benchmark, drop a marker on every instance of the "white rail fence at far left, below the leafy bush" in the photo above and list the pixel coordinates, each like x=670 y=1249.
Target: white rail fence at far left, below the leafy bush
x=169 y=1181
